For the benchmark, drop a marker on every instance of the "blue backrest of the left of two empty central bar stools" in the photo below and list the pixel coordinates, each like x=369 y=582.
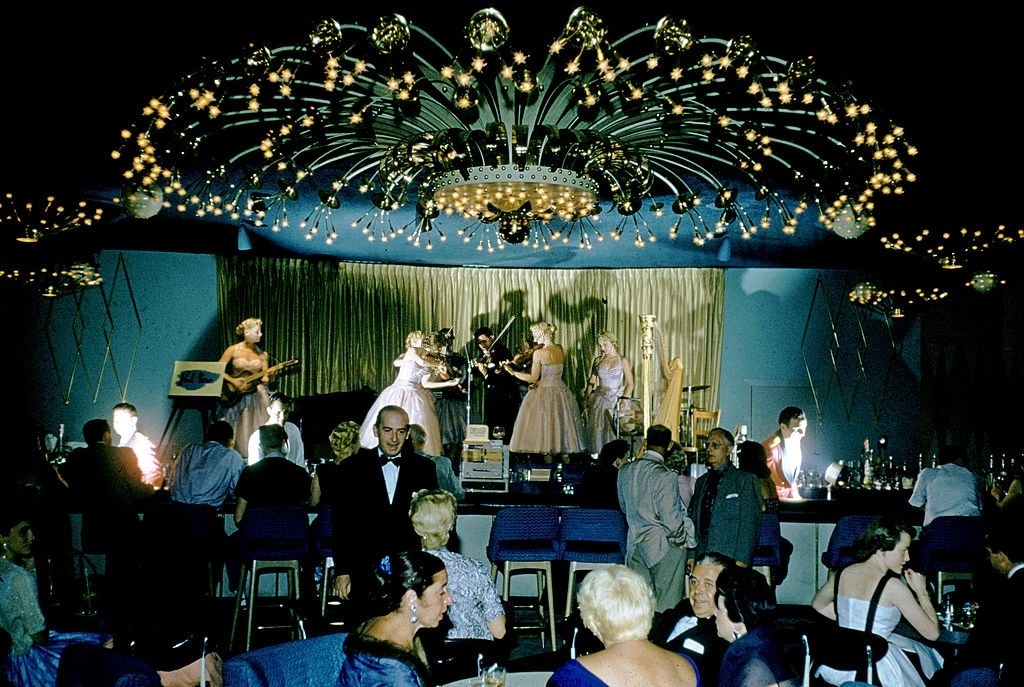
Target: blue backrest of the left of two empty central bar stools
x=524 y=534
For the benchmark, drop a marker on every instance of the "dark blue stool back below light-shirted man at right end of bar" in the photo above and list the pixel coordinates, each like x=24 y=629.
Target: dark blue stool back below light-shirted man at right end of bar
x=953 y=544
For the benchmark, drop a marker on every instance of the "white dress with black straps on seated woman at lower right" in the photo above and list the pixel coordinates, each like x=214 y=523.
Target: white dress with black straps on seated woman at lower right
x=895 y=669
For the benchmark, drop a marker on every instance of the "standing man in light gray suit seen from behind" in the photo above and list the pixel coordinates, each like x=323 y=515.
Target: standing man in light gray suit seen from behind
x=659 y=529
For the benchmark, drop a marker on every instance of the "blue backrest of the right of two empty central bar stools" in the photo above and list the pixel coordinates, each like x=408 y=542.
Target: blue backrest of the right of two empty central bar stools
x=592 y=536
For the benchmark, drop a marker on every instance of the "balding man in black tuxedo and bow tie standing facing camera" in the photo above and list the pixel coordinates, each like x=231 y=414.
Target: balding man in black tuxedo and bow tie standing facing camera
x=376 y=488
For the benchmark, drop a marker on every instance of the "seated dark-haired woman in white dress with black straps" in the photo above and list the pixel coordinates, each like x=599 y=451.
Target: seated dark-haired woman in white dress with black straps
x=883 y=551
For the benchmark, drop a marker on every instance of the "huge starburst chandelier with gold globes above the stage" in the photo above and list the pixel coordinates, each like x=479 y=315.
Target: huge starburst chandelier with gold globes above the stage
x=603 y=140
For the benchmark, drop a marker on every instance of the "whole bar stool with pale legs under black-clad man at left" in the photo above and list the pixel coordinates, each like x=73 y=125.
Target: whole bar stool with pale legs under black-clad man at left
x=273 y=540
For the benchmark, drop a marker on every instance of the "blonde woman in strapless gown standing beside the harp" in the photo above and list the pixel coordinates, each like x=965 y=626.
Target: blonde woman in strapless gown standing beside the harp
x=611 y=380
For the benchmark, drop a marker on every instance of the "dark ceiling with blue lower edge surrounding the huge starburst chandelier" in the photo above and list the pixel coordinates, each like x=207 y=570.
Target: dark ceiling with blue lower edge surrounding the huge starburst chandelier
x=74 y=79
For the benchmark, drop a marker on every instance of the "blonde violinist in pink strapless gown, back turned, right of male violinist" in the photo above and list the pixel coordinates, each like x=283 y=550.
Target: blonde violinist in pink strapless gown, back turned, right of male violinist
x=549 y=419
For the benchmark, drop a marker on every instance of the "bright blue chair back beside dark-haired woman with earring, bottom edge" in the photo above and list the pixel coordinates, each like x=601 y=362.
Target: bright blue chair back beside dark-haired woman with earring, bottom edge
x=301 y=663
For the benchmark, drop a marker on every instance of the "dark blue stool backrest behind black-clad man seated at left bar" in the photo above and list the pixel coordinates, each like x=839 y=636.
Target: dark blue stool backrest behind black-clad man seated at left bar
x=275 y=533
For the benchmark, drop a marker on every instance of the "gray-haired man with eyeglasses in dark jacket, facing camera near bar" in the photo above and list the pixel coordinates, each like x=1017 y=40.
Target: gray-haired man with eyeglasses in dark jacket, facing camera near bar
x=727 y=505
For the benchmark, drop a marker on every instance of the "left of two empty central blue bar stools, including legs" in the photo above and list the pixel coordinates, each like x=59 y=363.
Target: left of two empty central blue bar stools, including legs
x=525 y=539
